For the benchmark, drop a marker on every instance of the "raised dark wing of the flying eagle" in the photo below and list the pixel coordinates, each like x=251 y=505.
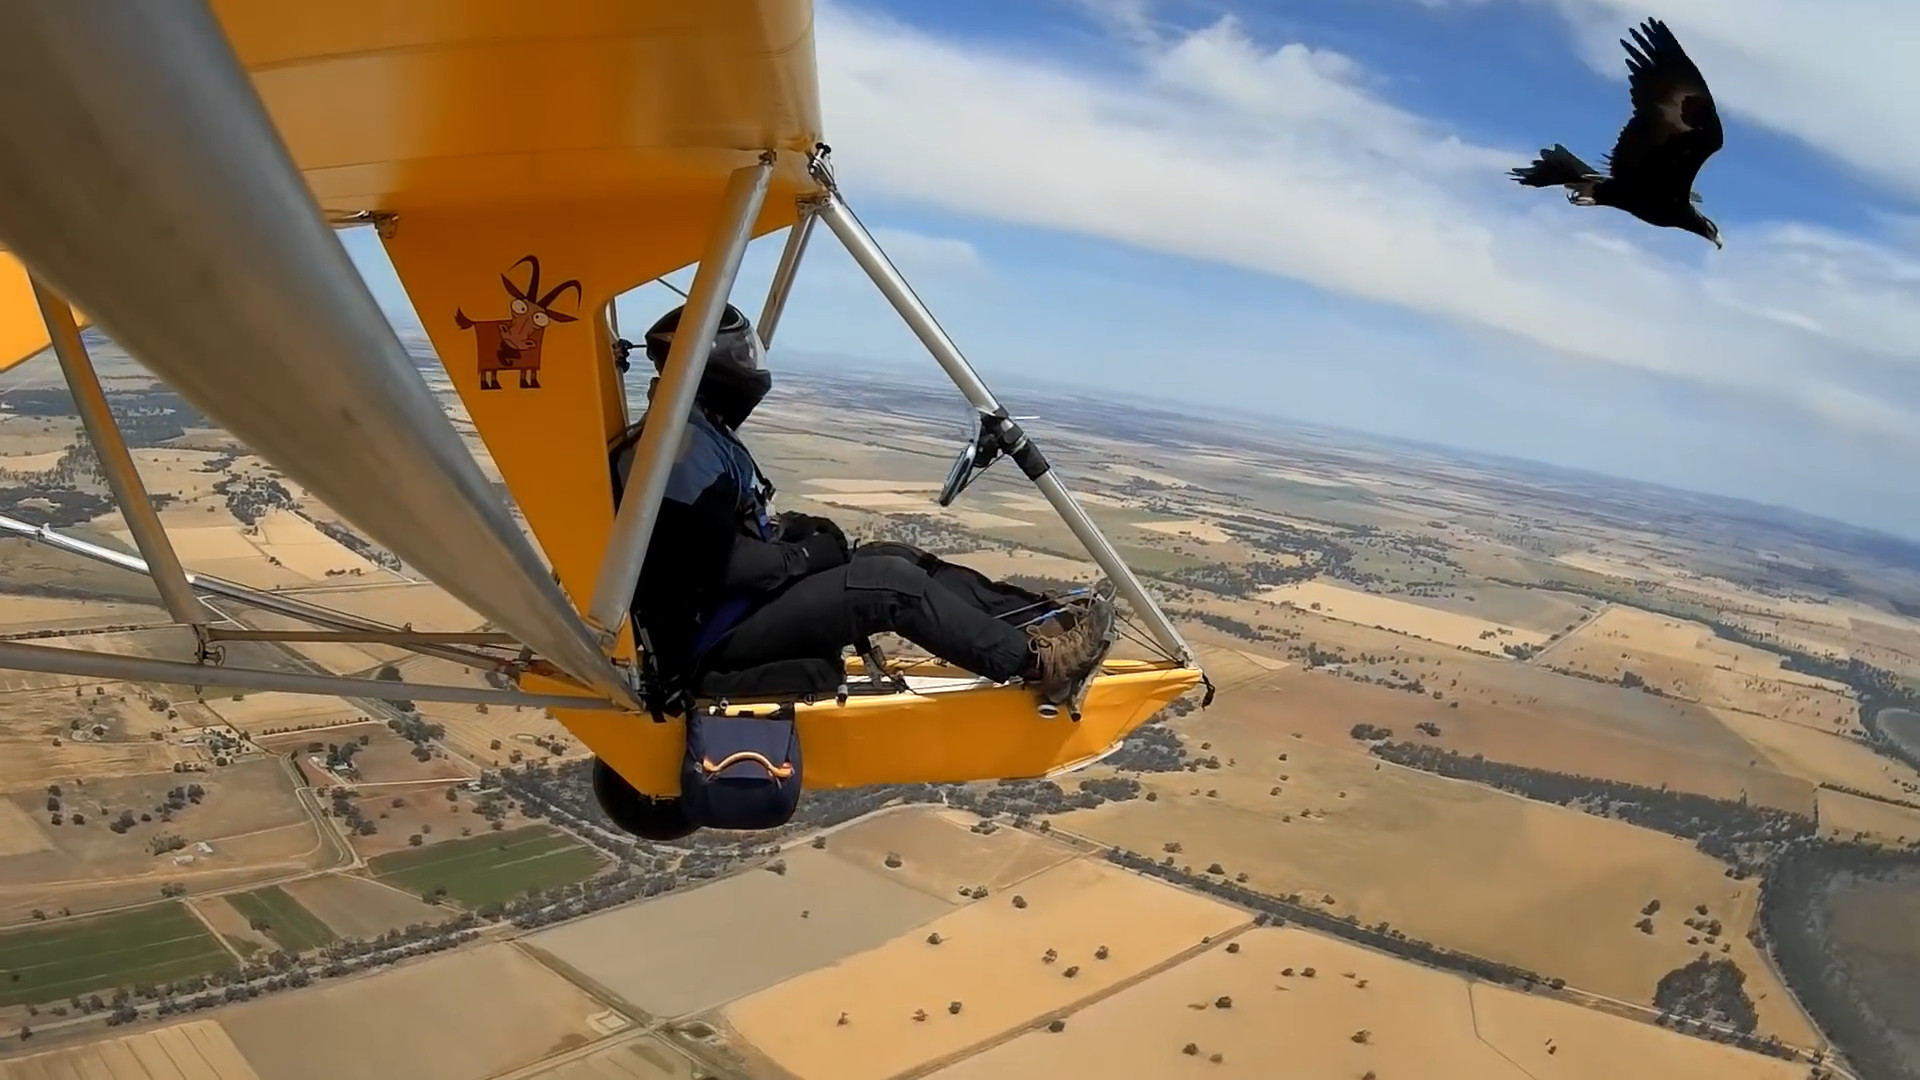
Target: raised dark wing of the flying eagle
x=1675 y=126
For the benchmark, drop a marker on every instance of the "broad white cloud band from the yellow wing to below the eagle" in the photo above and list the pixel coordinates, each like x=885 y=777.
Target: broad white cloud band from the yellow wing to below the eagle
x=1285 y=160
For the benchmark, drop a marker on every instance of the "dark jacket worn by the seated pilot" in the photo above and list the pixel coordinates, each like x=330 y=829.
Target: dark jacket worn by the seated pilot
x=715 y=554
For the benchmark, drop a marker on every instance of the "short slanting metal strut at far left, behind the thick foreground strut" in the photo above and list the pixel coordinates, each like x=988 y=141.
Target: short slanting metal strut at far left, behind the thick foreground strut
x=124 y=479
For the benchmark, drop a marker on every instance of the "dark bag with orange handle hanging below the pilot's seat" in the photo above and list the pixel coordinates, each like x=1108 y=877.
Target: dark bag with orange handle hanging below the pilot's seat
x=742 y=772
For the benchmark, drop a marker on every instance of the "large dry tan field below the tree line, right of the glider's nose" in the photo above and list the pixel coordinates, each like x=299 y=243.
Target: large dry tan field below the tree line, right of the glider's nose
x=1445 y=862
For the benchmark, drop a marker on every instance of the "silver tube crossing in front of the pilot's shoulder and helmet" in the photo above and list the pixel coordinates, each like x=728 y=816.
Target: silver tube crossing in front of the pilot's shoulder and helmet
x=673 y=399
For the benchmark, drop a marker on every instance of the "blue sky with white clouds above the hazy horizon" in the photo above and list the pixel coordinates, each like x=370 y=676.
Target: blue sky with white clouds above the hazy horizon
x=1299 y=209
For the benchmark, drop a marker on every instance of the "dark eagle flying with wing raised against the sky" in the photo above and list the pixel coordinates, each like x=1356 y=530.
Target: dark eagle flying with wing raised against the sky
x=1673 y=132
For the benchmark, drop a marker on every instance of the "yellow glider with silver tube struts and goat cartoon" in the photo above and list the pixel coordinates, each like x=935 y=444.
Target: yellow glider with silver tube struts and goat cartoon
x=178 y=180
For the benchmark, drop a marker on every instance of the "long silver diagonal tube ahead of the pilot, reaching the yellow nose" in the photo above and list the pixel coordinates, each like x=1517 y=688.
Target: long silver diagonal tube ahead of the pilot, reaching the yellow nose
x=876 y=264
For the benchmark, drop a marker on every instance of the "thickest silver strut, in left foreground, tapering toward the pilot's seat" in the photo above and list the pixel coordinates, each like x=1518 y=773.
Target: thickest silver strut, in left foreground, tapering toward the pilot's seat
x=151 y=187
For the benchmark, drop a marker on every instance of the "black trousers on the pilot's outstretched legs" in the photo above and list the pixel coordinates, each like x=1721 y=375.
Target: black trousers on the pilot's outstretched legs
x=951 y=612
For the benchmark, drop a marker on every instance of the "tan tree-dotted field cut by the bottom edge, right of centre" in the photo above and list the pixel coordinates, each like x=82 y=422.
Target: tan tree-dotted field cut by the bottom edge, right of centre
x=1356 y=1014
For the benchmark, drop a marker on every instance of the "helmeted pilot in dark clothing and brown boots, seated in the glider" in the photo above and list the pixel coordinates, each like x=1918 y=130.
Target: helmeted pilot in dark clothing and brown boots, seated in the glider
x=727 y=587
